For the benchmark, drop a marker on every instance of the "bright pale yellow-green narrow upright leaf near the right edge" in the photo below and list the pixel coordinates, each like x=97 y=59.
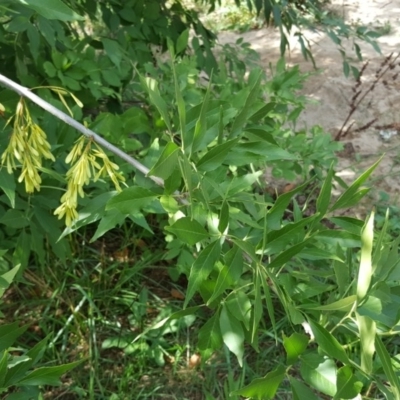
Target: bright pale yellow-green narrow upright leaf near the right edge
x=365 y=270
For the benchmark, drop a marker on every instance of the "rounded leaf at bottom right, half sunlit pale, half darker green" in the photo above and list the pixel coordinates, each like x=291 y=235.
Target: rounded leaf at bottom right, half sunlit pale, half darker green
x=319 y=372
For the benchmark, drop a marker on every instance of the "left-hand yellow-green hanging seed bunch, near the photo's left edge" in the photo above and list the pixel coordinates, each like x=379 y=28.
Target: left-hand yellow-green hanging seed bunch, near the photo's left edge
x=28 y=146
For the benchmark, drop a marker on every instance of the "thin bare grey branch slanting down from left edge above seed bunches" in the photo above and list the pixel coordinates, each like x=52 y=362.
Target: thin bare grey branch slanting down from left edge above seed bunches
x=23 y=91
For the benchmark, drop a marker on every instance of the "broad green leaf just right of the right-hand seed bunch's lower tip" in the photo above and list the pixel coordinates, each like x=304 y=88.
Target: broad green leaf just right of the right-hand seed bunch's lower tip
x=131 y=200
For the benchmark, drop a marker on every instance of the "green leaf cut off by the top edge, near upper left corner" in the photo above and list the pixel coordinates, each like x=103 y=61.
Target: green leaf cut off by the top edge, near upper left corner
x=52 y=9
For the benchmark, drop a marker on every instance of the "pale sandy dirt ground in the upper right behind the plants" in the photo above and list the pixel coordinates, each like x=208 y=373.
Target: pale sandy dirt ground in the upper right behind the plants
x=333 y=90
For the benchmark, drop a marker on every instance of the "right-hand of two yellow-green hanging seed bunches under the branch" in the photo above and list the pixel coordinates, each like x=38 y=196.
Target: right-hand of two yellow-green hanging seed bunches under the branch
x=88 y=162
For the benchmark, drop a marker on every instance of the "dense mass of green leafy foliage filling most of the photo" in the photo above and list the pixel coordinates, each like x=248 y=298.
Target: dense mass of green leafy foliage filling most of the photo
x=258 y=262
